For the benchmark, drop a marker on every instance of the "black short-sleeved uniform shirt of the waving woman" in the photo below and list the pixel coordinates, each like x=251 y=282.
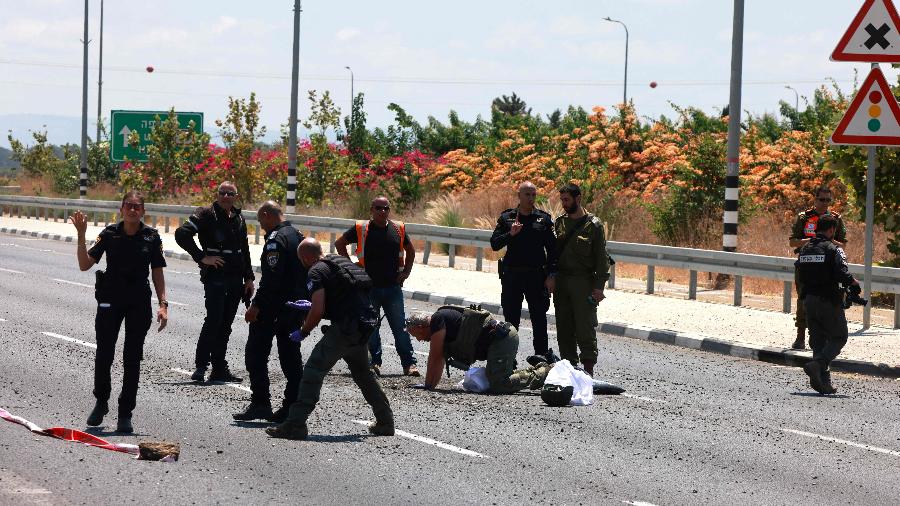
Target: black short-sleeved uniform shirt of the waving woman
x=129 y=258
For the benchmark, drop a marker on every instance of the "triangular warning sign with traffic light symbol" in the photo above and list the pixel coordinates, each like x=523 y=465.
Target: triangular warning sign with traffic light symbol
x=873 y=118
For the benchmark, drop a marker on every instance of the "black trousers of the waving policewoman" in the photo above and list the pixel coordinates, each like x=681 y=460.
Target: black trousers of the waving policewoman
x=138 y=316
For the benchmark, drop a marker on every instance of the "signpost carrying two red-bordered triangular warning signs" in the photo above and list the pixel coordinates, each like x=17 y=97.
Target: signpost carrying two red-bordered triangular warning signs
x=873 y=118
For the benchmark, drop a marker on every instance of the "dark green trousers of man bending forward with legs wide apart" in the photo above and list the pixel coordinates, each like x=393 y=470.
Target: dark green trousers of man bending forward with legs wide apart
x=341 y=341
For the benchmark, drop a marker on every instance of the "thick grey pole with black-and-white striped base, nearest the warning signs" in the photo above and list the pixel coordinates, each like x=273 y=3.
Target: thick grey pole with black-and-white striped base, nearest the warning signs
x=732 y=182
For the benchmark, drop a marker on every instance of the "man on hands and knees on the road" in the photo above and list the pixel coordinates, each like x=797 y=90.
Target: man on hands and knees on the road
x=461 y=336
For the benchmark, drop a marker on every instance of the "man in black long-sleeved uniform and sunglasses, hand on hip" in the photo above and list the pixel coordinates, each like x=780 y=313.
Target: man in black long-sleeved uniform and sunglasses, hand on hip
x=226 y=274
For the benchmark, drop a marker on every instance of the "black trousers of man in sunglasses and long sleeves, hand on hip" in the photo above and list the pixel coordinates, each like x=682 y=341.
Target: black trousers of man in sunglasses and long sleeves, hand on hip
x=223 y=294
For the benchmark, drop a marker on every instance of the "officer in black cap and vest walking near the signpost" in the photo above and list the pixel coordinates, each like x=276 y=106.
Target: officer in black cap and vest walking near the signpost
x=822 y=267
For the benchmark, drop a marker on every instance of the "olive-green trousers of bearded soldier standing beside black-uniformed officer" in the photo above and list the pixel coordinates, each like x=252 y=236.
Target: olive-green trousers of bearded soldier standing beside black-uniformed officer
x=576 y=318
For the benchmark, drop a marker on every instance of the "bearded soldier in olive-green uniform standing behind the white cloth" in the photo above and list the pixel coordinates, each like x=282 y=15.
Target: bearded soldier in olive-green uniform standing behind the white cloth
x=578 y=279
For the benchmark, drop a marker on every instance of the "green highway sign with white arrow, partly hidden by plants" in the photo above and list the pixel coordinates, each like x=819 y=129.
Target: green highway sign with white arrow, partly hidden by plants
x=123 y=123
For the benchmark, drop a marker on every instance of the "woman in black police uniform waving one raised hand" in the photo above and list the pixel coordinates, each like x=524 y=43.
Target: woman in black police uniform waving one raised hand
x=123 y=294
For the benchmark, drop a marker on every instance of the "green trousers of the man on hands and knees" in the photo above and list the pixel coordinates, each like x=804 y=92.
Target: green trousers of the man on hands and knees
x=501 y=364
